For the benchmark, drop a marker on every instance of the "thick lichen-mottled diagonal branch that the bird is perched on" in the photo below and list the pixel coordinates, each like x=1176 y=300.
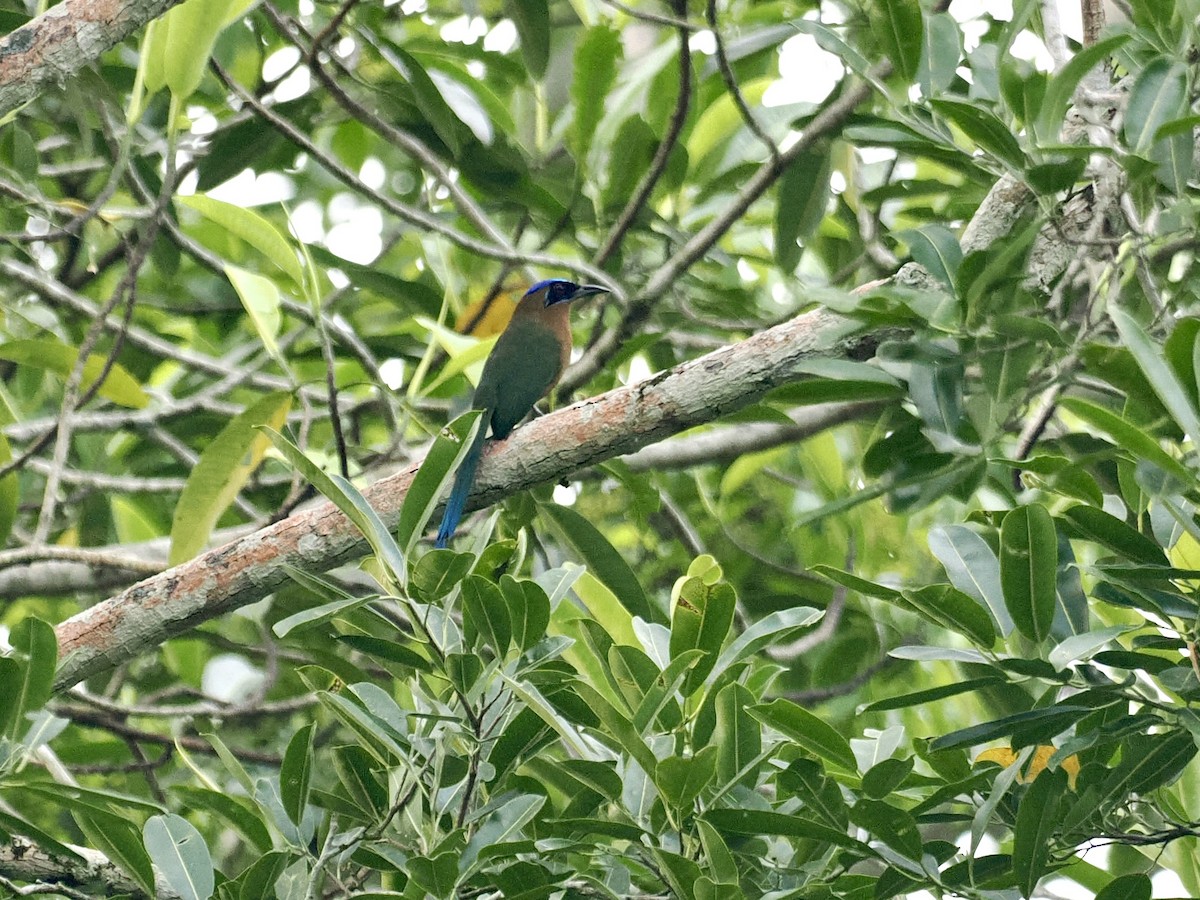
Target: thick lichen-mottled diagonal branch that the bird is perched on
x=617 y=423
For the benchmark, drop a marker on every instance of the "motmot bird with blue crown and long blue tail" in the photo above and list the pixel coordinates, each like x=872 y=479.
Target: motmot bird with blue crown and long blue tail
x=527 y=361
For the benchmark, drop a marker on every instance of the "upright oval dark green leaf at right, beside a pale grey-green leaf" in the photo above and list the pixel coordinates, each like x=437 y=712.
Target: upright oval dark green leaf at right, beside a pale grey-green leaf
x=1029 y=560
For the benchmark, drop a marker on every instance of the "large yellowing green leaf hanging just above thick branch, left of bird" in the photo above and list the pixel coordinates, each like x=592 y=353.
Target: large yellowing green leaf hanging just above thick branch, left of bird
x=221 y=472
